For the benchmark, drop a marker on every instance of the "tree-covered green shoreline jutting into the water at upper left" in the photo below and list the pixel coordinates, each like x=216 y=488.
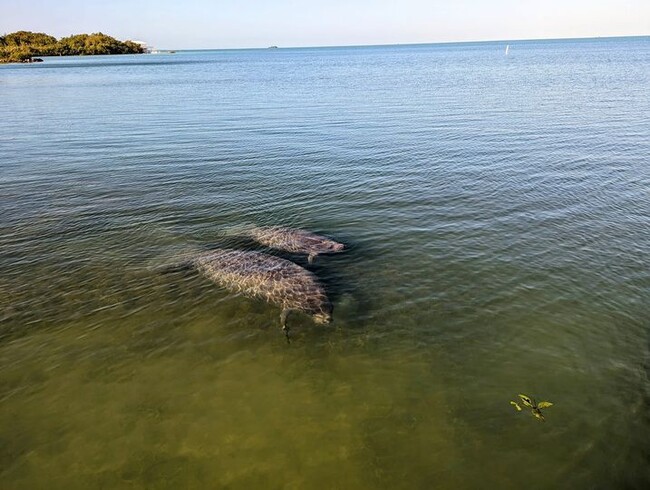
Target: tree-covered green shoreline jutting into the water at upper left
x=25 y=46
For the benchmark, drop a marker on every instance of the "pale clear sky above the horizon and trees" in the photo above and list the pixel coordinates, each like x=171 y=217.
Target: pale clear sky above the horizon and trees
x=186 y=24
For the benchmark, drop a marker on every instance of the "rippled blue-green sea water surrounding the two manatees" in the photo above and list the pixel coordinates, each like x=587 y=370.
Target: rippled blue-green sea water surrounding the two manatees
x=497 y=212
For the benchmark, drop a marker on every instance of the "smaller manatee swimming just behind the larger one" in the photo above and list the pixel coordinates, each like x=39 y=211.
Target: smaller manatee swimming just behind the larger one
x=294 y=240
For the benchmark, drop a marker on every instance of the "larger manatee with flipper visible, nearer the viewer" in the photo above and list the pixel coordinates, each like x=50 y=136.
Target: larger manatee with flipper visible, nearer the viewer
x=273 y=279
